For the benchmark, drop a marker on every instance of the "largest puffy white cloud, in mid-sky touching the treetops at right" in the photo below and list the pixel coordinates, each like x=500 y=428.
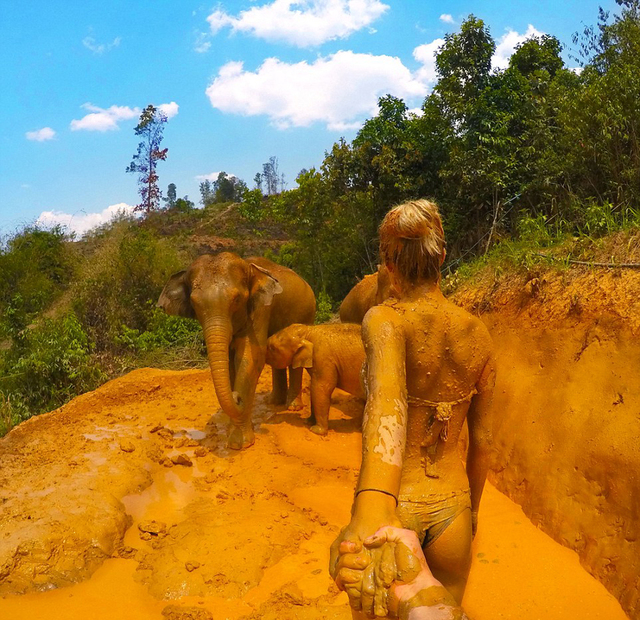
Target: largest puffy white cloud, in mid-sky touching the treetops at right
x=339 y=90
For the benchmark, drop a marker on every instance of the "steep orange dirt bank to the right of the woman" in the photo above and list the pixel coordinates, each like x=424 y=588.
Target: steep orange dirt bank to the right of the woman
x=567 y=411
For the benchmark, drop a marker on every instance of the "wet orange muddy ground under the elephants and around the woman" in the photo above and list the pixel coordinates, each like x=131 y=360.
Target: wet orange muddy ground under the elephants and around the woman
x=91 y=493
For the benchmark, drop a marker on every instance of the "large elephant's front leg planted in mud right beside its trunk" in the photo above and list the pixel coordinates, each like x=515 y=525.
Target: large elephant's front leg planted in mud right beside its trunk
x=249 y=362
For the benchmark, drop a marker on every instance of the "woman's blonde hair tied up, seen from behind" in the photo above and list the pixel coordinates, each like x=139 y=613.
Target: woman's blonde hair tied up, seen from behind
x=412 y=239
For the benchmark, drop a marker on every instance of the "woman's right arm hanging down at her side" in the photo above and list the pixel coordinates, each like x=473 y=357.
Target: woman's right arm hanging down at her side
x=480 y=436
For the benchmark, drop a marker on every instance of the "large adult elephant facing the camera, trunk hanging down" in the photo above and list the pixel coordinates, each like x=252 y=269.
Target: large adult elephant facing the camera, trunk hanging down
x=239 y=304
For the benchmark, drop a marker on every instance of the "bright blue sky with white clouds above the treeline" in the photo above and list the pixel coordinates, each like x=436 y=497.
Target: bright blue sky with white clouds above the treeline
x=240 y=80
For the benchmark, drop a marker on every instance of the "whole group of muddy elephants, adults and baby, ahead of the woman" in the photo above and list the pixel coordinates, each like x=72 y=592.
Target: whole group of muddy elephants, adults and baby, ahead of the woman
x=254 y=311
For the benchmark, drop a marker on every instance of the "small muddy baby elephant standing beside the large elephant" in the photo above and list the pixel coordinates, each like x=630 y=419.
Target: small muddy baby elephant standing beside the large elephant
x=333 y=355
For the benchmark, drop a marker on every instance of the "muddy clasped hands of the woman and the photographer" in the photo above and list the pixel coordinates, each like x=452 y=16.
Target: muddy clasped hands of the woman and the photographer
x=383 y=573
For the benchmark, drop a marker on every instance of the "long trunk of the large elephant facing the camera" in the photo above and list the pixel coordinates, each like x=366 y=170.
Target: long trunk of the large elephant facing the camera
x=217 y=335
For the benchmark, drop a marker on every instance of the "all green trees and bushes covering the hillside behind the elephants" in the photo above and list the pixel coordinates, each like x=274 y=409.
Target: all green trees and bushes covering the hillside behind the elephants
x=520 y=160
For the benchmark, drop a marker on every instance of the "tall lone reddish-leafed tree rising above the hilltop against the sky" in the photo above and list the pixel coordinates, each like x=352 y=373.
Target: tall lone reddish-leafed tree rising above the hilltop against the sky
x=146 y=159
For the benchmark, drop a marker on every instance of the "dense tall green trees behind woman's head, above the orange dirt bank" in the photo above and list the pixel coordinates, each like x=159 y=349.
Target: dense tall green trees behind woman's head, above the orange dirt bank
x=492 y=147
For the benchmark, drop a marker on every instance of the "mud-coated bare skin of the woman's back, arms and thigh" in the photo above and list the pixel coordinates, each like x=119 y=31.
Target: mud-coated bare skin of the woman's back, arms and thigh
x=422 y=344
